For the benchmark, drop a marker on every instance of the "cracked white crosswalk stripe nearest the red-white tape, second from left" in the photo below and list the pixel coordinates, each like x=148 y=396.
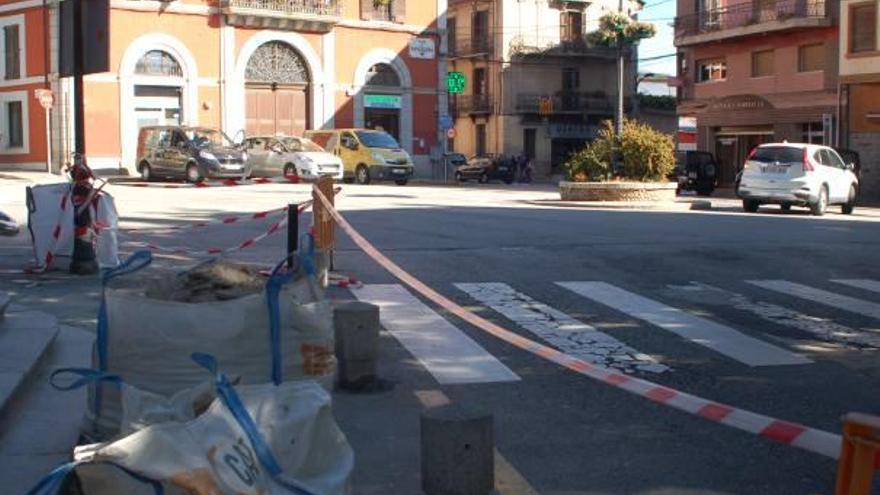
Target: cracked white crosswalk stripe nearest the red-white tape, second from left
x=567 y=334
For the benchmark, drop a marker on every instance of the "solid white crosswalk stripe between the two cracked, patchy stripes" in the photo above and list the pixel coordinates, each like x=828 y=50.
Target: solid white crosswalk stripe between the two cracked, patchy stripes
x=719 y=338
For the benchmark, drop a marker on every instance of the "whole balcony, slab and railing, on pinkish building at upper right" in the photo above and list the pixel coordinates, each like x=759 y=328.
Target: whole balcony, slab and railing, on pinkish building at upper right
x=748 y=18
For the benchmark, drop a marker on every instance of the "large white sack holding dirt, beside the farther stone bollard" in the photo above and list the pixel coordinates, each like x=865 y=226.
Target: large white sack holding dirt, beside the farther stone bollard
x=148 y=342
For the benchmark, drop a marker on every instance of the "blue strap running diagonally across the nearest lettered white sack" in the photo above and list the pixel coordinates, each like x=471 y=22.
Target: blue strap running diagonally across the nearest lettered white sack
x=231 y=400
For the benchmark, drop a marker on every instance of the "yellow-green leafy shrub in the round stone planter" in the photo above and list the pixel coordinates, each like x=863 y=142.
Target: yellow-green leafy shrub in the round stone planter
x=648 y=155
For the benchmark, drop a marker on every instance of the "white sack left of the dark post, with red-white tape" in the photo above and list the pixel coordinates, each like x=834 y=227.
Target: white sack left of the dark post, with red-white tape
x=45 y=214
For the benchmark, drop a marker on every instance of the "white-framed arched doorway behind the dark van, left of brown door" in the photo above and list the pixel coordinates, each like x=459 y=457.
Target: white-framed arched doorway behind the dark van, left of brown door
x=158 y=89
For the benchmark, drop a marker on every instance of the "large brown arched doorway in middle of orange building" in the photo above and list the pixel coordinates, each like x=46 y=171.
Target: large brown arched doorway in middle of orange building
x=277 y=91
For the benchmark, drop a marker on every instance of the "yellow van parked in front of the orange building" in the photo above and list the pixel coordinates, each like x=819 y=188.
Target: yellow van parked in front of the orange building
x=366 y=154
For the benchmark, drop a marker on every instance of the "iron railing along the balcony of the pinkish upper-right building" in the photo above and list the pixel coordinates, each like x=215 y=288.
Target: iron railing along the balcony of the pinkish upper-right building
x=744 y=14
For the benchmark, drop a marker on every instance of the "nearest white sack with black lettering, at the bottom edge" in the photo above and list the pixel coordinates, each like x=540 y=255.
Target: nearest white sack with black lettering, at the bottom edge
x=212 y=453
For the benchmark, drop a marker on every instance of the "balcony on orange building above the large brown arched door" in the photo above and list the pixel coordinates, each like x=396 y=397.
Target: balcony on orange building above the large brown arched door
x=299 y=15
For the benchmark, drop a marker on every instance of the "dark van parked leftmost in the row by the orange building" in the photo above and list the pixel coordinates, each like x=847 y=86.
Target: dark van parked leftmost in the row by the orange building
x=191 y=153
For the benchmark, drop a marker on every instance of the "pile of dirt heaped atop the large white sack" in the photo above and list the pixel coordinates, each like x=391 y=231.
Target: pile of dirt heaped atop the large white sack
x=215 y=281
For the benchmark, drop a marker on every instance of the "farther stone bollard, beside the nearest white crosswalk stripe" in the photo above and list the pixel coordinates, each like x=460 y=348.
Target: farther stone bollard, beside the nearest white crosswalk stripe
x=356 y=328
